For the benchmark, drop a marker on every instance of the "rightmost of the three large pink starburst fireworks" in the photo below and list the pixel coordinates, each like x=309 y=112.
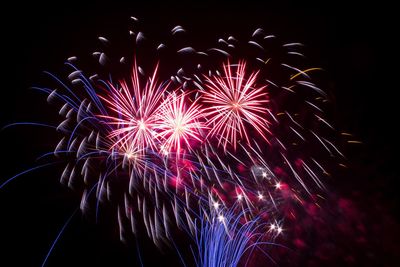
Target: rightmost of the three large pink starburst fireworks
x=236 y=102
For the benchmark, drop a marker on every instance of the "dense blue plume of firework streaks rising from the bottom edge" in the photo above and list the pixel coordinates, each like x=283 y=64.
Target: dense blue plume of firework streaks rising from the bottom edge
x=224 y=238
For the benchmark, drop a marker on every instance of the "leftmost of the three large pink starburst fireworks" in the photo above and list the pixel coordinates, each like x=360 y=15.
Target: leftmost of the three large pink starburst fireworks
x=135 y=107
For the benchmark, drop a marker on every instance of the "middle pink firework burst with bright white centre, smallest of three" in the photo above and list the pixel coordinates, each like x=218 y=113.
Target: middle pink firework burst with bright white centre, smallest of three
x=179 y=122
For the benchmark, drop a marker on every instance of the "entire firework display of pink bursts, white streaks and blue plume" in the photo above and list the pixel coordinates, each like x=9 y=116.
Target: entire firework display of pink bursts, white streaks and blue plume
x=224 y=144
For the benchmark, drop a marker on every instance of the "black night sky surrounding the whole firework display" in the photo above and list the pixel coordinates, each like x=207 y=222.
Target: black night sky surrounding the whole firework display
x=354 y=44
